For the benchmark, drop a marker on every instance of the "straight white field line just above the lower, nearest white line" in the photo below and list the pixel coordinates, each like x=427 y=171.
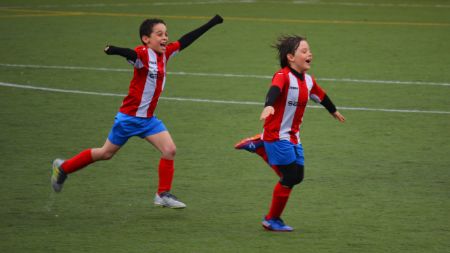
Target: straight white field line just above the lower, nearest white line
x=346 y=80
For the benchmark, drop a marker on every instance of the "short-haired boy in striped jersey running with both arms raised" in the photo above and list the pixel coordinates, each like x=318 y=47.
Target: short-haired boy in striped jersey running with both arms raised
x=136 y=115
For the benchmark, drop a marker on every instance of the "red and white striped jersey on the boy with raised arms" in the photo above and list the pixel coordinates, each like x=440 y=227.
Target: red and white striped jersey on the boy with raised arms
x=148 y=80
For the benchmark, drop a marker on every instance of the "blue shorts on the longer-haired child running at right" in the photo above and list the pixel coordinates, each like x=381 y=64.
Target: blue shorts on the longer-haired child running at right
x=284 y=152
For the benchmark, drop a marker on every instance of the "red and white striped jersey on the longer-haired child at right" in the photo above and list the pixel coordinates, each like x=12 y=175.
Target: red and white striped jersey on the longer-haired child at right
x=290 y=105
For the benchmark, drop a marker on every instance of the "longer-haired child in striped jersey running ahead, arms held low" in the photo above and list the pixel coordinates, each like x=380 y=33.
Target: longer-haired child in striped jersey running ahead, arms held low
x=279 y=145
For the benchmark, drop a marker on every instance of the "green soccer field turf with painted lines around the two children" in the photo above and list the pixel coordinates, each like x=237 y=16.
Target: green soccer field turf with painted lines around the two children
x=380 y=182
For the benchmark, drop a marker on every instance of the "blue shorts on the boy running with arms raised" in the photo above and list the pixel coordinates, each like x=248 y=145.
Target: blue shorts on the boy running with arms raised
x=126 y=126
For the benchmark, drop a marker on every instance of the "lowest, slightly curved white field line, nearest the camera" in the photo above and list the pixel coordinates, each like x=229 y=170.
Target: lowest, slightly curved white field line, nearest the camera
x=198 y=100
